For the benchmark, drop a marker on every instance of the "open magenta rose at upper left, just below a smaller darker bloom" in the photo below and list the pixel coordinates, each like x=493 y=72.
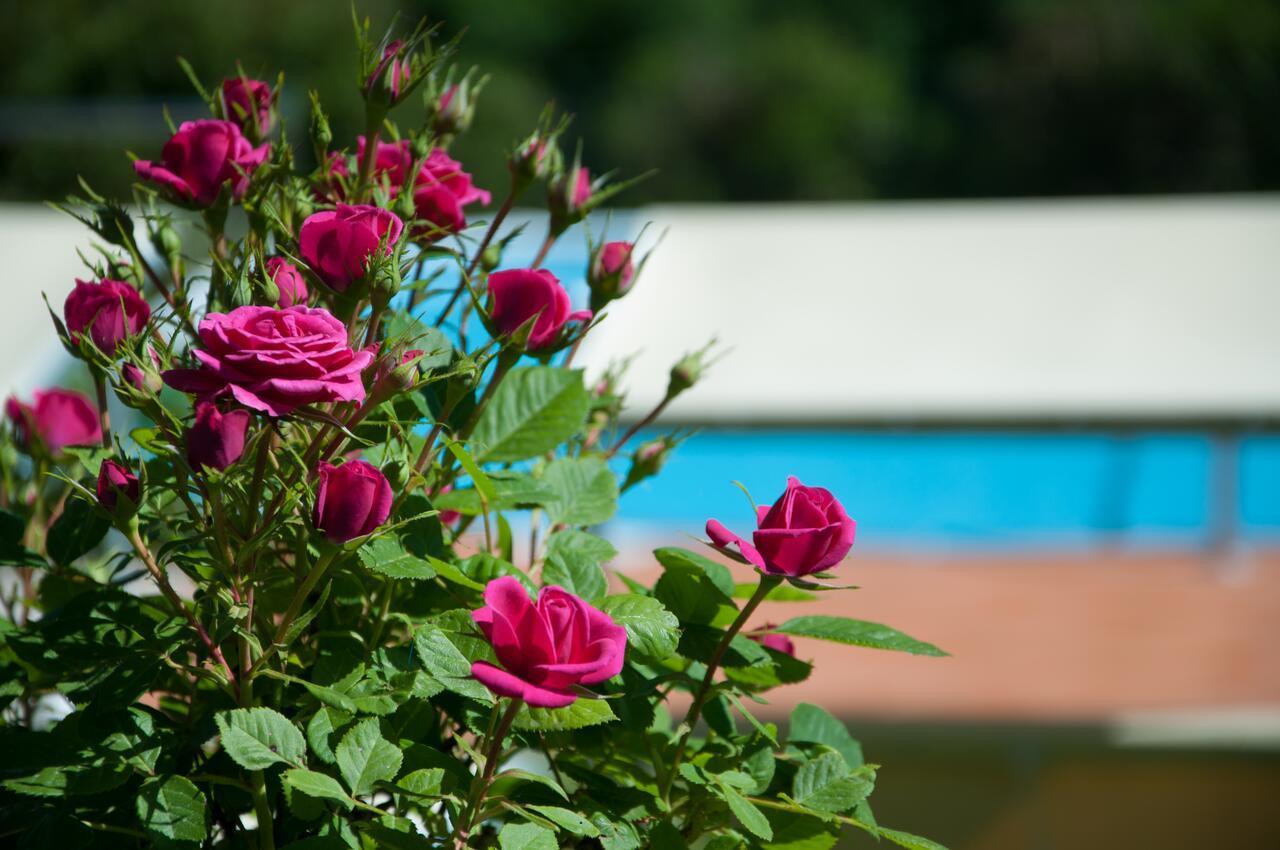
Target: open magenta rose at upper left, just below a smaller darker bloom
x=202 y=158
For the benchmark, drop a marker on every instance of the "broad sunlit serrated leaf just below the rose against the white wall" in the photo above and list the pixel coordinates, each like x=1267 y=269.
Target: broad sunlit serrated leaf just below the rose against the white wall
x=534 y=410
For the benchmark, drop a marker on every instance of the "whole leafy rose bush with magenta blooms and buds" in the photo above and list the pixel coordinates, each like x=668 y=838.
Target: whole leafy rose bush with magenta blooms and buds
x=282 y=596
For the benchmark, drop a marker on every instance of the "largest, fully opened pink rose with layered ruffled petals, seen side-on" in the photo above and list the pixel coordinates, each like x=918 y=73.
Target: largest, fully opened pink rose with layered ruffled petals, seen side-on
x=275 y=360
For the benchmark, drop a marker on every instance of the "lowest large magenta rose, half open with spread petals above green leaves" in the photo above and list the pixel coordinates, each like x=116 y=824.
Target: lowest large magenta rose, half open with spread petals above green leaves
x=547 y=647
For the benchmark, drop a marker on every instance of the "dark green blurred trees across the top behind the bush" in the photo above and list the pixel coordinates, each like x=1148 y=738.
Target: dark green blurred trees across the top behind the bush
x=752 y=102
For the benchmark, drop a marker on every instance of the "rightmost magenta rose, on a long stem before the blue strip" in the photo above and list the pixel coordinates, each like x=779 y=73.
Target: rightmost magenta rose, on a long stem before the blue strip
x=807 y=531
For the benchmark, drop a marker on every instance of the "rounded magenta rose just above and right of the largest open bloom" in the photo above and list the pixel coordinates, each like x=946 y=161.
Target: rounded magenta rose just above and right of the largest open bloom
x=340 y=244
